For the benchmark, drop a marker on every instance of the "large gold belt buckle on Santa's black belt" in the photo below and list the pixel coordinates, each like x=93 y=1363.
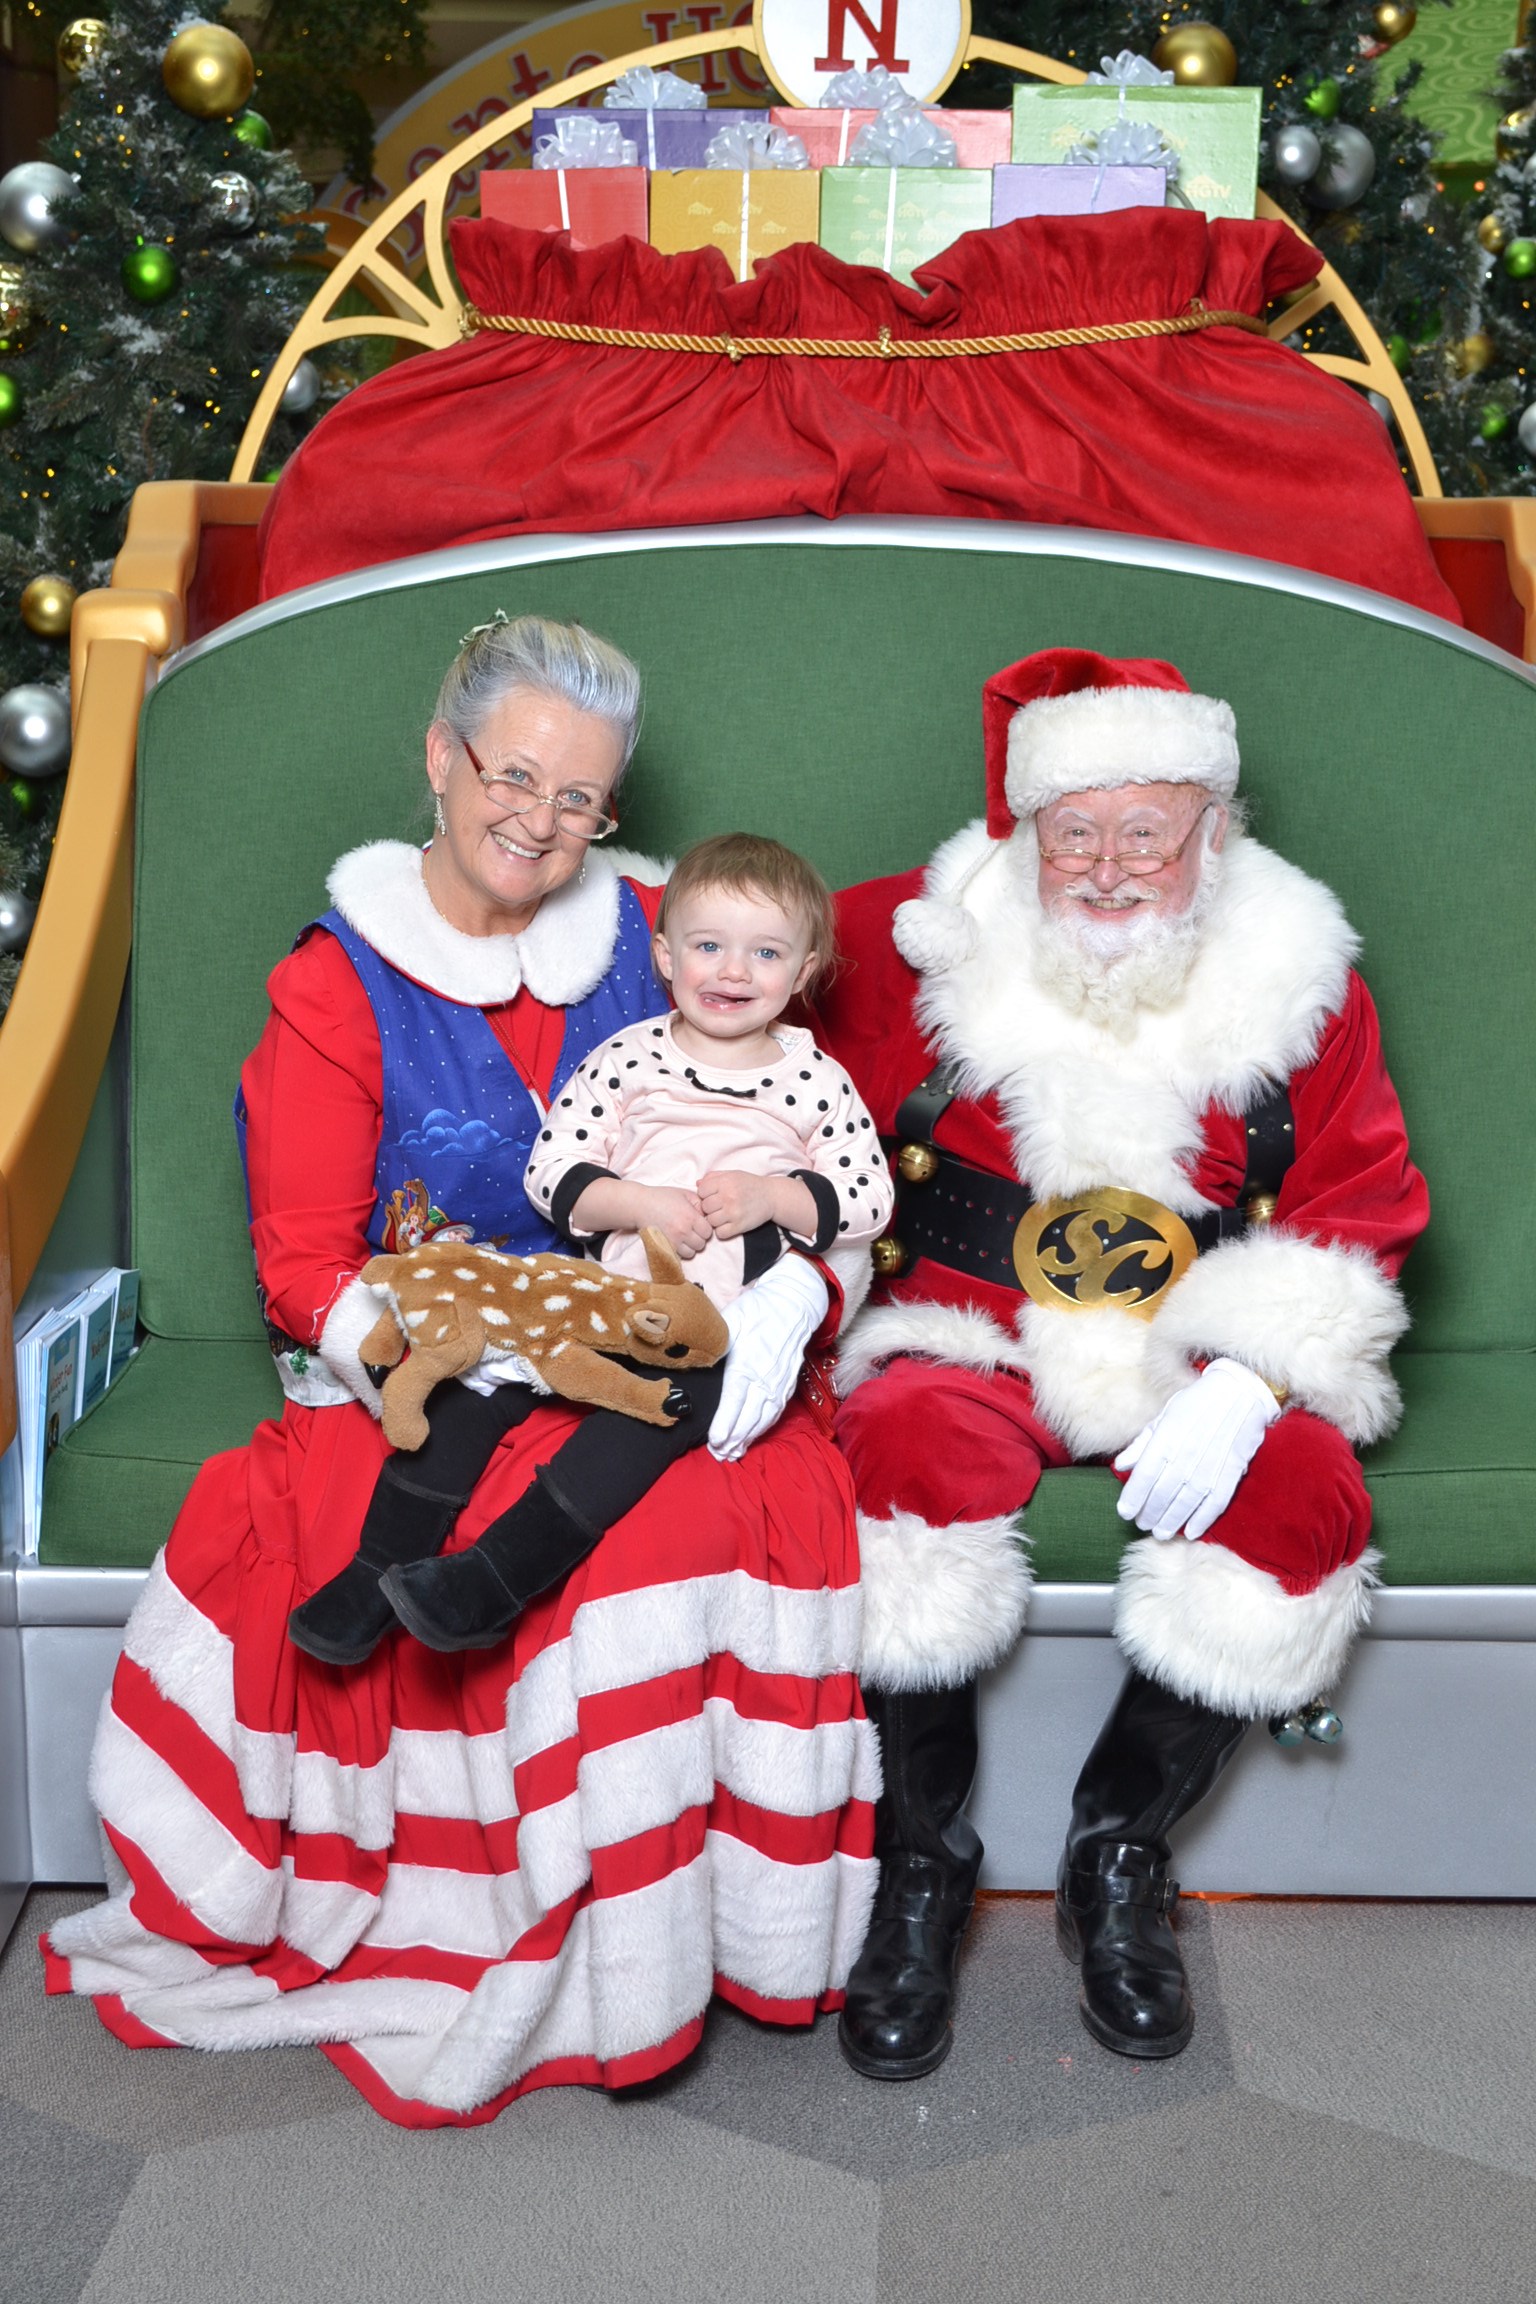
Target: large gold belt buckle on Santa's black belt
x=1102 y=1248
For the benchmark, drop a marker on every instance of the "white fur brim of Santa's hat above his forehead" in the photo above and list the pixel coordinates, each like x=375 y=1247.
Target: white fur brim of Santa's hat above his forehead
x=1102 y=738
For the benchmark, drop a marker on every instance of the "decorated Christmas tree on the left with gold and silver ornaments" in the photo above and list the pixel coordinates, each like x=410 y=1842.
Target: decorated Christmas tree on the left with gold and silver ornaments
x=149 y=275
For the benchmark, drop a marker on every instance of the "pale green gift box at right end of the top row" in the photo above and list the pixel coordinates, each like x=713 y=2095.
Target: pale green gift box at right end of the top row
x=1212 y=130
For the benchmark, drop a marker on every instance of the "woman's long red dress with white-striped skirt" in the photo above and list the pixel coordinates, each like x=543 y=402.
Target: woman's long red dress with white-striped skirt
x=471 y=1877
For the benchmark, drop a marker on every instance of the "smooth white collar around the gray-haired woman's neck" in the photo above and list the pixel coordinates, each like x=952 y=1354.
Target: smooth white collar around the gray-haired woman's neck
x=563 y=955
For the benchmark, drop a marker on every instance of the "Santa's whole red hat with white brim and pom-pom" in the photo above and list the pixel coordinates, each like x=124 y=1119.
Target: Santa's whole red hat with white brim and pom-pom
x=1074 y=722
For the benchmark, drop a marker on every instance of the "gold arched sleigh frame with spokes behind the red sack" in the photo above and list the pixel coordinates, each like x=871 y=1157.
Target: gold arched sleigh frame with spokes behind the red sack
x=425 y=312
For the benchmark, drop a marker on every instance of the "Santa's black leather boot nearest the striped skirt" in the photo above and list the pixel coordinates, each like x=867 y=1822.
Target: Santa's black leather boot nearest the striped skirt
x=895 y=2022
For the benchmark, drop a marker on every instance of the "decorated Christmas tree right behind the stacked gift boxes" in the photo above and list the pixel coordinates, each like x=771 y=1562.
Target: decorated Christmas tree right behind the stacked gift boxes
x=1341 y=153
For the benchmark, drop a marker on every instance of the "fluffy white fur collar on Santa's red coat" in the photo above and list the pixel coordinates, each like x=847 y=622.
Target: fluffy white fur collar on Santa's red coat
x=1088 y=1107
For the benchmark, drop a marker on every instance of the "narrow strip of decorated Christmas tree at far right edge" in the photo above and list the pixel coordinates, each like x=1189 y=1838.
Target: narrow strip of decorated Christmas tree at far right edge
x=1503 y=257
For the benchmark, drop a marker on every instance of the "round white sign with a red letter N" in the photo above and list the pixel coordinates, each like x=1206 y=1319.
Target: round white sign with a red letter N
x=805 y=45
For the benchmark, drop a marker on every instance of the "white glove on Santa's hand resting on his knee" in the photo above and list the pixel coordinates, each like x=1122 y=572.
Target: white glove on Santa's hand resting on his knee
x=1187 y=1464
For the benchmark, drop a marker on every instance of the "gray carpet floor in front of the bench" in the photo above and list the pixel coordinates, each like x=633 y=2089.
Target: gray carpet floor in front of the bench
x=1355 y=2123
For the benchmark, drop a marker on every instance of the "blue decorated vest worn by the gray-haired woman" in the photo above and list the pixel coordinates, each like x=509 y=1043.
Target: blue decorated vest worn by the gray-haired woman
x=459 y=1119
